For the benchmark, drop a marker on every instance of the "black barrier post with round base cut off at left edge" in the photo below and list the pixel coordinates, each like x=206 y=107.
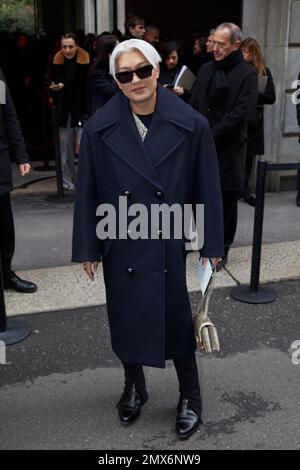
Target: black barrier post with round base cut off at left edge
x=11 y=331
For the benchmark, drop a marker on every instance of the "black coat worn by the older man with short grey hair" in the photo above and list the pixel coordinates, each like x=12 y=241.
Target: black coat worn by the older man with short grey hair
x=229 y=118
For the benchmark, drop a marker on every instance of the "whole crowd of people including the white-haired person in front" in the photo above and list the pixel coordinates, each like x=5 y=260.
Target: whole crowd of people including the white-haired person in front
x=123 y=90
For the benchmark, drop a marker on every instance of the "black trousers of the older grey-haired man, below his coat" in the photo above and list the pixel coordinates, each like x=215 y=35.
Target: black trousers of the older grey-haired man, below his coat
x=230 y=215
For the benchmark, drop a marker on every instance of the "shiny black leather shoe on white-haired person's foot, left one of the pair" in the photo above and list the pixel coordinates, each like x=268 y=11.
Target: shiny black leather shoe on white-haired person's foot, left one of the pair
x=130 y=406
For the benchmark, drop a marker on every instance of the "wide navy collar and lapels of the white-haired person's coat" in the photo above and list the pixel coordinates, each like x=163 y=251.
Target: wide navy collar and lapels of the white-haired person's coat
x=166 y=134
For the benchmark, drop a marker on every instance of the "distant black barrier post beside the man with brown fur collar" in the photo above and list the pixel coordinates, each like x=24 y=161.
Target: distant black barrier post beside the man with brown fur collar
x=60 y=197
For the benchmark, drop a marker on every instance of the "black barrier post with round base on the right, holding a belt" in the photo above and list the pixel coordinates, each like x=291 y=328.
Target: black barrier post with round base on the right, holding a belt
x=257 y=294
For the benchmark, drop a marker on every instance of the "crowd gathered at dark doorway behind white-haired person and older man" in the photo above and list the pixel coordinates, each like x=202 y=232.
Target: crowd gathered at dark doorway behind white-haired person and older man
x=72 y=72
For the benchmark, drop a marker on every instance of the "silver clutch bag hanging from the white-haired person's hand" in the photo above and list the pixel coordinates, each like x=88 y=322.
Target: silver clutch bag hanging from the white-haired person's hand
x=205 y=331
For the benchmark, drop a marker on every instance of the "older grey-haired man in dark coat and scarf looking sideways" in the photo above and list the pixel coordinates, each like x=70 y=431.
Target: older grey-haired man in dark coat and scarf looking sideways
x=226 y=92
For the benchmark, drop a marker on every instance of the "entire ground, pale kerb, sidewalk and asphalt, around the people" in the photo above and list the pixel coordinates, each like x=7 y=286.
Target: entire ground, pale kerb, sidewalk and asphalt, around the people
x=60 y=386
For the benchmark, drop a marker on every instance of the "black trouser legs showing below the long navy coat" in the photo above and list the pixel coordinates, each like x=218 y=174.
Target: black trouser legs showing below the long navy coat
x=187 y=373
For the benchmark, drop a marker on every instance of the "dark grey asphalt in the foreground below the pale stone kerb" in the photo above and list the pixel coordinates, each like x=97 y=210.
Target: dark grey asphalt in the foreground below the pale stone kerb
x=61 y=386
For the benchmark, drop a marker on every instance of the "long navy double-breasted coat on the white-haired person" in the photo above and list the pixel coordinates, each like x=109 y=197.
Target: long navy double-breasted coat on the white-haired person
x=147 y=298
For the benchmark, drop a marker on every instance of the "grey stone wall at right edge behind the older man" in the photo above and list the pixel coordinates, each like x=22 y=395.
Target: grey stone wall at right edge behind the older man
x=276 y=25
